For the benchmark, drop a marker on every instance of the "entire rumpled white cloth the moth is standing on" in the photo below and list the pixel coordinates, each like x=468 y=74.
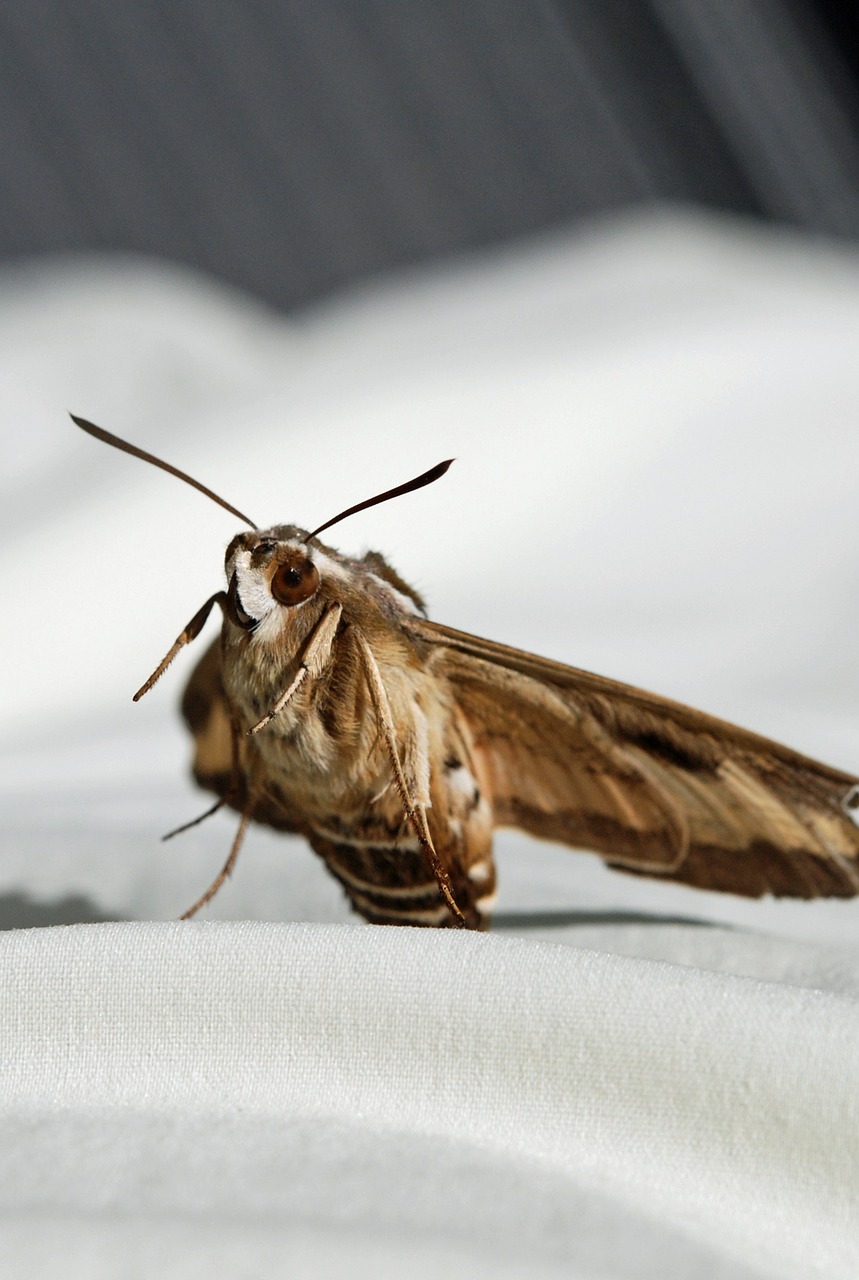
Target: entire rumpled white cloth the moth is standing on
x=655 y=427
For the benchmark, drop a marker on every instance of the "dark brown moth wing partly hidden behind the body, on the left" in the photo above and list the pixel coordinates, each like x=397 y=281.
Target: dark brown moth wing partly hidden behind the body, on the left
x=207 y=714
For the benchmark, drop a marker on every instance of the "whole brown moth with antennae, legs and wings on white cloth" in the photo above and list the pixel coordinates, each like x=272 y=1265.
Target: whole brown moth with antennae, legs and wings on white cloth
x=333 y=707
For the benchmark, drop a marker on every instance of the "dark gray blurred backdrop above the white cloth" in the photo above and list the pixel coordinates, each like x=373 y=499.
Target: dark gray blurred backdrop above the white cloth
x=294 y=147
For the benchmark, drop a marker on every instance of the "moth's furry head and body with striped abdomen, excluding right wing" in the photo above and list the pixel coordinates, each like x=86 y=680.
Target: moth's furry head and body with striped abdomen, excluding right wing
x=322 y=765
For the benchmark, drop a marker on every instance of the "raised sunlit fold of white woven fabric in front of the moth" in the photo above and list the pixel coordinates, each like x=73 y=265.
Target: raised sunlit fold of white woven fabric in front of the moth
x=721 y=1107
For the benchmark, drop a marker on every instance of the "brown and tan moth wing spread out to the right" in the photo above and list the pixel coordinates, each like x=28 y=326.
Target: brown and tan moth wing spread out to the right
x=651 y=785
